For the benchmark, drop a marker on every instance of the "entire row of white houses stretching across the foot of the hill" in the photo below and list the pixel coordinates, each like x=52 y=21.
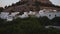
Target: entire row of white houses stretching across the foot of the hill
x=13 y=15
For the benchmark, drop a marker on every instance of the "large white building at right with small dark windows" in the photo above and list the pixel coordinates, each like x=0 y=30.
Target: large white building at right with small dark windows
x=49 y=14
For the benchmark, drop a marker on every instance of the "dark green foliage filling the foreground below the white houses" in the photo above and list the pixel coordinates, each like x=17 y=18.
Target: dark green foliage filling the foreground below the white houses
x=31 y=25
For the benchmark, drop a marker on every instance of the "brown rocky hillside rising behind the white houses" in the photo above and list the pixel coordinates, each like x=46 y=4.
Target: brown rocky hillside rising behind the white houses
x=34 y=5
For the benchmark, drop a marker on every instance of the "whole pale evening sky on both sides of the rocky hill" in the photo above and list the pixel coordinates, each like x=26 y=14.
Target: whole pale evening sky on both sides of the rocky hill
x=9 y=2
